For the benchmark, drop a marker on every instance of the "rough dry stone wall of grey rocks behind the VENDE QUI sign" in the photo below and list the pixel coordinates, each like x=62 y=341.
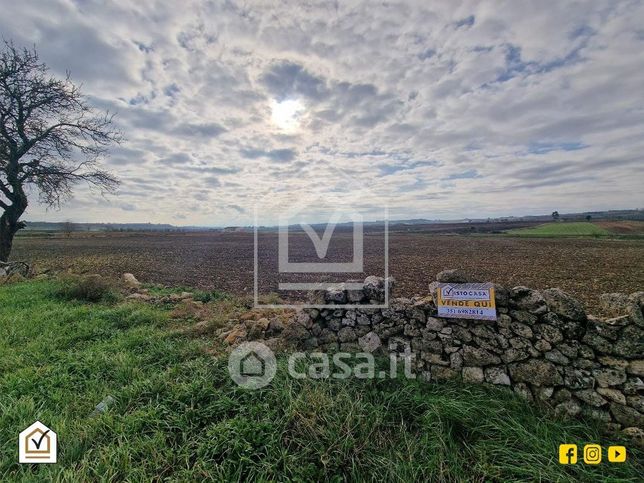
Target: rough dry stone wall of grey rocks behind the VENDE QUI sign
x=543 y=345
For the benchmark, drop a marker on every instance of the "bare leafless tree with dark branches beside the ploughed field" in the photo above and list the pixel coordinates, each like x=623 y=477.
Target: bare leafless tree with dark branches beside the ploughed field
x=50 y=138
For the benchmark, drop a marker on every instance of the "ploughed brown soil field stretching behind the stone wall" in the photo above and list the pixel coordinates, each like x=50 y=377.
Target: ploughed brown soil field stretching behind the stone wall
x=224 y=261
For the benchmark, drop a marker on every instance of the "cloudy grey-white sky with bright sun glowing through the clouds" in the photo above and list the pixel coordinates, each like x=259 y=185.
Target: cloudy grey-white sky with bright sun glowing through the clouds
x=437 y=109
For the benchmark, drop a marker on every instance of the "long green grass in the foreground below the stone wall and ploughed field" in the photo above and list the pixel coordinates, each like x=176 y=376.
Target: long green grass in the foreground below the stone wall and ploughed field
x=178 y=416
